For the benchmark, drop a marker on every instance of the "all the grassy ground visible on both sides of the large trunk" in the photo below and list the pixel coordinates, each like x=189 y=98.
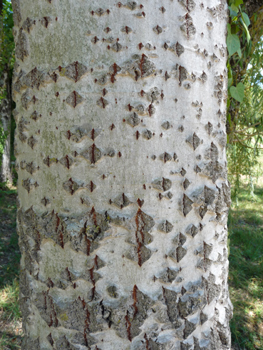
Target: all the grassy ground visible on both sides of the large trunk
x=245 y=277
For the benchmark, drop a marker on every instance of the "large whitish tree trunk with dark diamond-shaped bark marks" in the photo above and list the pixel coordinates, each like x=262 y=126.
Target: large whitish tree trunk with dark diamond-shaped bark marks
x=122 y=174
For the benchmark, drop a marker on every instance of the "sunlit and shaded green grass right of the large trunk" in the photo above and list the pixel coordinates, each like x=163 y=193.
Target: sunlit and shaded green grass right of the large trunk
x=246 y=270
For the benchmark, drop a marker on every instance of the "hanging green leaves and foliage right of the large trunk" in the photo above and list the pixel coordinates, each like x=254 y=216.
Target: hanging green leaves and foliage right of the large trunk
x=245 y=96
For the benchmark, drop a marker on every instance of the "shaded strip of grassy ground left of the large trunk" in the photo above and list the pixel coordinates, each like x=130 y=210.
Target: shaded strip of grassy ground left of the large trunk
x=10 y=318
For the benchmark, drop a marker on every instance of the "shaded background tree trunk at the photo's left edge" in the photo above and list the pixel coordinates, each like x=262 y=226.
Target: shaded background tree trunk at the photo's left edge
x=5 y=115
